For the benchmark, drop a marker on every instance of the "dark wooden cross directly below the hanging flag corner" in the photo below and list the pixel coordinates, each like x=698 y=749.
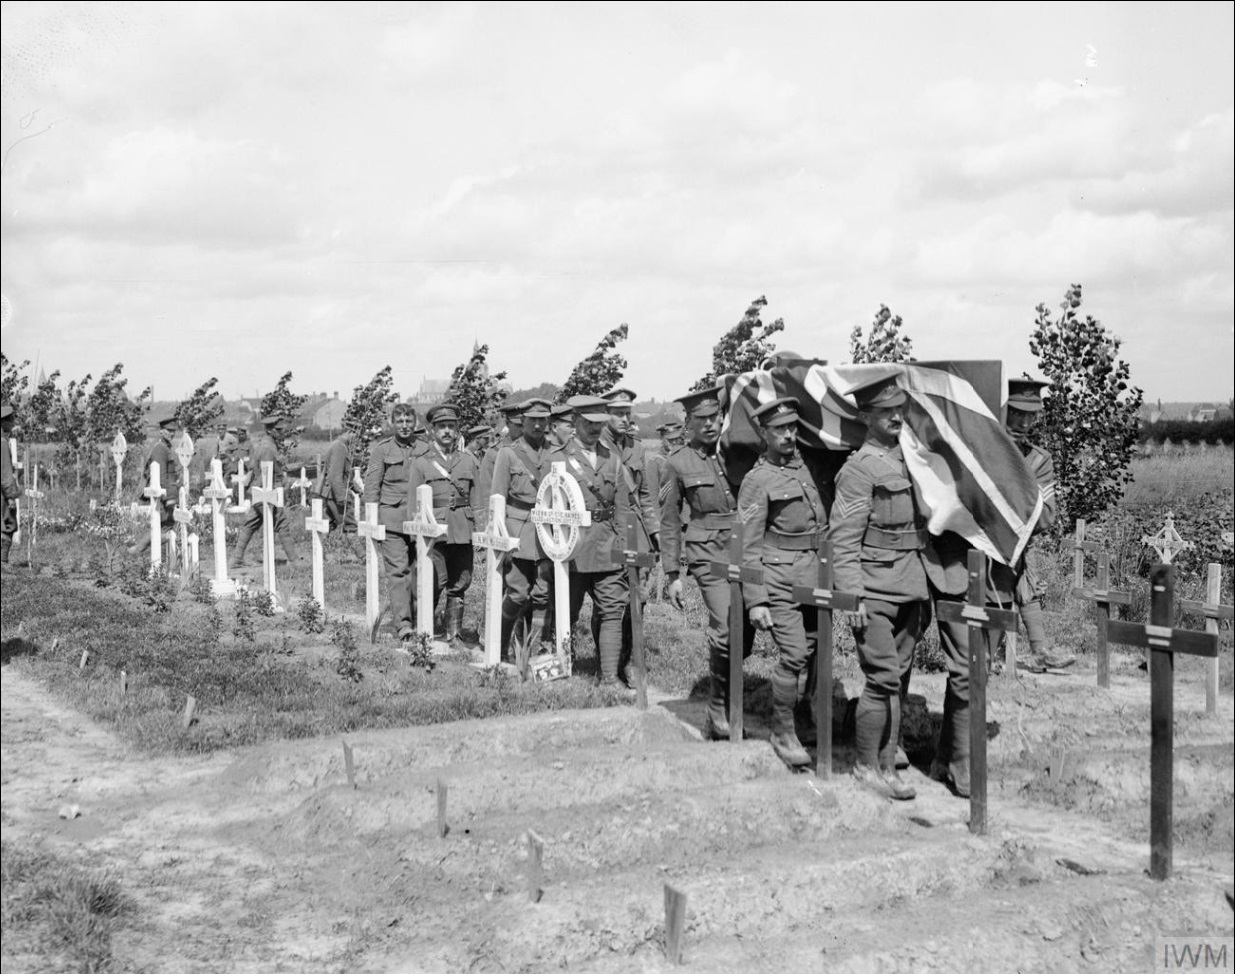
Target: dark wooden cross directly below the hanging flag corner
x=981 y=620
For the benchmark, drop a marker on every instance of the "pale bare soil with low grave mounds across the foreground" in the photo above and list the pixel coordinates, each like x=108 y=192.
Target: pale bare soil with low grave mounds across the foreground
x=266 y=860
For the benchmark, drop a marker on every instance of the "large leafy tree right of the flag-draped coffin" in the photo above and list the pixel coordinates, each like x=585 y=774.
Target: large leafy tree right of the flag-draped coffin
x=1089 y=423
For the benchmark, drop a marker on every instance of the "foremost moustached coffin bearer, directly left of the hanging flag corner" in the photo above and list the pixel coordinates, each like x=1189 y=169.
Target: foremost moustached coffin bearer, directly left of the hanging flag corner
x=880 y=545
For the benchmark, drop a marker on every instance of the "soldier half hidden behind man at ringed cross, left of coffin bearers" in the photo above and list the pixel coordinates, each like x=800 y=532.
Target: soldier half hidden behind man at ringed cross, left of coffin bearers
x=621 y=436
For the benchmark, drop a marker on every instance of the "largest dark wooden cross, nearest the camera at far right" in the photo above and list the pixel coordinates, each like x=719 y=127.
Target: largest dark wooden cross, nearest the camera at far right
x=1164 y=643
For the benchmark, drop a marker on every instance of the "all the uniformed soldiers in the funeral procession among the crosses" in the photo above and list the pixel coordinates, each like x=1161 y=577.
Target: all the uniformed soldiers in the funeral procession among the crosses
x=685 y=507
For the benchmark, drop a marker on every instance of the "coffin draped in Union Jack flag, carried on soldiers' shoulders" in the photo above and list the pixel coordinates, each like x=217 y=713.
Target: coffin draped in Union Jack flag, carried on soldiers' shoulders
x=970 y=475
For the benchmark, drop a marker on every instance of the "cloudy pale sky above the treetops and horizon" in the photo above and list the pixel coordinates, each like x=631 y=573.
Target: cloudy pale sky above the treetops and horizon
x=239 y=191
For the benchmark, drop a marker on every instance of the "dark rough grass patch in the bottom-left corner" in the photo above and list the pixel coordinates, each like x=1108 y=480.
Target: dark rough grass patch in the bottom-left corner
x=57 y=915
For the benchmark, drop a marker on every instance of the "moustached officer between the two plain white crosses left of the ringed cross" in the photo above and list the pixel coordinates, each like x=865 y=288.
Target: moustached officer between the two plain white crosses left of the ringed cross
x=453 y=476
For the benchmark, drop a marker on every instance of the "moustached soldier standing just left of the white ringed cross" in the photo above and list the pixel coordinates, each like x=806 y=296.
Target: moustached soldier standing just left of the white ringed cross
x=517 y=476
